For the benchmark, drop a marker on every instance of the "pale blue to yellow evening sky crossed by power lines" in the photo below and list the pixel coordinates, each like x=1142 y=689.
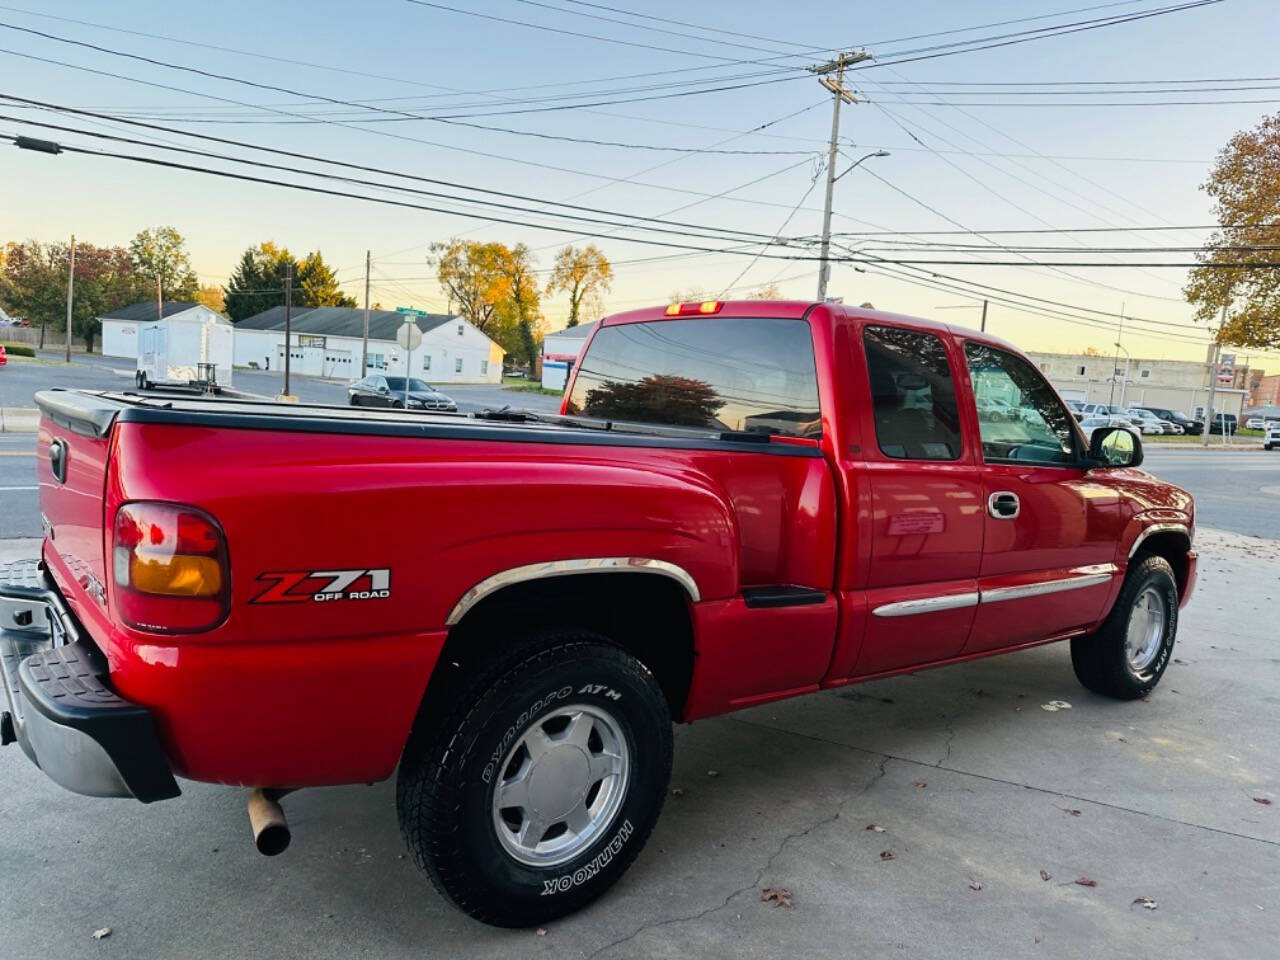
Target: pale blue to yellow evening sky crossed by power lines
x=962 y=159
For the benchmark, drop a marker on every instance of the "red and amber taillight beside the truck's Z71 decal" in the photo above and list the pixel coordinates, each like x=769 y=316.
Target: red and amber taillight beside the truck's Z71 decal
x=170 y=566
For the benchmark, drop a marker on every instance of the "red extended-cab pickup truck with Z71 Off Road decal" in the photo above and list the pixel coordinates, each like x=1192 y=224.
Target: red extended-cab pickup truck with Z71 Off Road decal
x=739 y=502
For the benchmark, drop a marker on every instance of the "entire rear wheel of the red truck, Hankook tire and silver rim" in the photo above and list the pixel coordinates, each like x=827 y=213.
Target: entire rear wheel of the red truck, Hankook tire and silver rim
x=541 y=788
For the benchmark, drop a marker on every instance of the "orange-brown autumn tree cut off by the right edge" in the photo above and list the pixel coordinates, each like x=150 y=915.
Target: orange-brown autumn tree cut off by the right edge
x=1246 y=190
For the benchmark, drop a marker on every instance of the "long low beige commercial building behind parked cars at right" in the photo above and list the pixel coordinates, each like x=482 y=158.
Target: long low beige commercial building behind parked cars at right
x=1176 y=385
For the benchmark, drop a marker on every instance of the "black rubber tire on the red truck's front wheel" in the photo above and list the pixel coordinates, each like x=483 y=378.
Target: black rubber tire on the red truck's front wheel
x=1101 y=660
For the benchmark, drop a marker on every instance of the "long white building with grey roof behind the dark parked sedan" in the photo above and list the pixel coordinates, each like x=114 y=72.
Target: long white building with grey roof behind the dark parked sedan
x=328 y=342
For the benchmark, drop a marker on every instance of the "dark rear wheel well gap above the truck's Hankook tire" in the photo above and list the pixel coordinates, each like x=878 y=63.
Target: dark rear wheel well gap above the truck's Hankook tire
x=646 y=615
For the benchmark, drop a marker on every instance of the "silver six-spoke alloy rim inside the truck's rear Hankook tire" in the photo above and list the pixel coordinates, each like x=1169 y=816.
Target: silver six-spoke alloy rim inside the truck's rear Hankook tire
x=561 y=785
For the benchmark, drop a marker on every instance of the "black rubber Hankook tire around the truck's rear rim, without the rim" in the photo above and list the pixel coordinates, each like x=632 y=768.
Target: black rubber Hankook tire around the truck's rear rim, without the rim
x=450 y=774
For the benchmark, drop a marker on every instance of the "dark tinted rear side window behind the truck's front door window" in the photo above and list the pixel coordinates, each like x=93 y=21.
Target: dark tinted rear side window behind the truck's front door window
x=913 y=395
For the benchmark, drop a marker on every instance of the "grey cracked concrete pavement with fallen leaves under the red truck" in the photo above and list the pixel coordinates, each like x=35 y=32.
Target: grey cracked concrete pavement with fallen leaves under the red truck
x=972 y=781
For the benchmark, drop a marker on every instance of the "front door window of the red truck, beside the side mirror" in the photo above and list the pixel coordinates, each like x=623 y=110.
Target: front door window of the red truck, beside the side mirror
x=1020 y=417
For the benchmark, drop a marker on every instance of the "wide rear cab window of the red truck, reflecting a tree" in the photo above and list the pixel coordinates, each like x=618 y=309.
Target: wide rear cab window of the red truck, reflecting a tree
x=734 y=374
